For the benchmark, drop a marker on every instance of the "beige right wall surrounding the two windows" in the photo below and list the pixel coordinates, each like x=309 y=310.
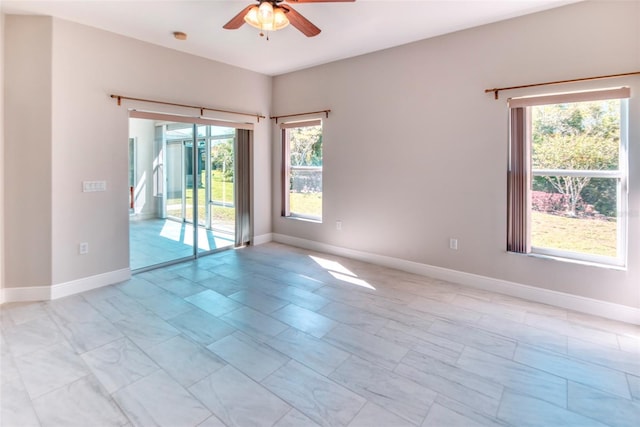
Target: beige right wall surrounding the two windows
x=415 y=151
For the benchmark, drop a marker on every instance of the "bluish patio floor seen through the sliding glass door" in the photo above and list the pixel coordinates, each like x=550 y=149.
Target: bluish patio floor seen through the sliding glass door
x=156 y=241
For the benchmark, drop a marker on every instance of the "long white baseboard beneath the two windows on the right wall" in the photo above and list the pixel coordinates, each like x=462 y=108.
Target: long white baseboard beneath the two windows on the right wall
x=582 y=304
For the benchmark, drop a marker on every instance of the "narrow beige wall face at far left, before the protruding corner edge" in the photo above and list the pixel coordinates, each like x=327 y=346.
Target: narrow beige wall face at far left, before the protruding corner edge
x=27 y=151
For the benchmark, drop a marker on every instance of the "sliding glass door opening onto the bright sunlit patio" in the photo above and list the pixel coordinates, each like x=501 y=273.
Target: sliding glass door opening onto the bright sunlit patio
x=187 y=207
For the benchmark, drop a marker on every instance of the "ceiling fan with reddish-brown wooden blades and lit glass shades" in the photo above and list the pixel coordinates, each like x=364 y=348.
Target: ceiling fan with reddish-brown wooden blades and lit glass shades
x=273 y=15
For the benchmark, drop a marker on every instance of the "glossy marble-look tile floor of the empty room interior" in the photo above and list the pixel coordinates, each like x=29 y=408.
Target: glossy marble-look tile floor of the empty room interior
x=278 y=336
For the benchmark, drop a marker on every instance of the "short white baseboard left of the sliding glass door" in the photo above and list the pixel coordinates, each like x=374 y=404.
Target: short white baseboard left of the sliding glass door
x=60 y=290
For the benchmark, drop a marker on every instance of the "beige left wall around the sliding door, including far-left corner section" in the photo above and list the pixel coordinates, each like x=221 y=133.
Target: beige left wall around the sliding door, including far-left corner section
x=79 y=133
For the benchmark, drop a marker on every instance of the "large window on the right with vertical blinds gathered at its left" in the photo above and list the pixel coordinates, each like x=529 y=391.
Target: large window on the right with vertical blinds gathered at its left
x=568 y=176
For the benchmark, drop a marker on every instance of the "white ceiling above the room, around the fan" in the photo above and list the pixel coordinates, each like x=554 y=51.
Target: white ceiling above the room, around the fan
x=348 y=29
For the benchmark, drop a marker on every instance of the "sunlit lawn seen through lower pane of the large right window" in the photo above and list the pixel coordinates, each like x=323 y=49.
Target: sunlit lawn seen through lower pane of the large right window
x=590 y=236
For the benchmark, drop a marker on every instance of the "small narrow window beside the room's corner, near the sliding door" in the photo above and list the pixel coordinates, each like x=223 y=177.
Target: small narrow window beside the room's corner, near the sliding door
x=302 y=170
